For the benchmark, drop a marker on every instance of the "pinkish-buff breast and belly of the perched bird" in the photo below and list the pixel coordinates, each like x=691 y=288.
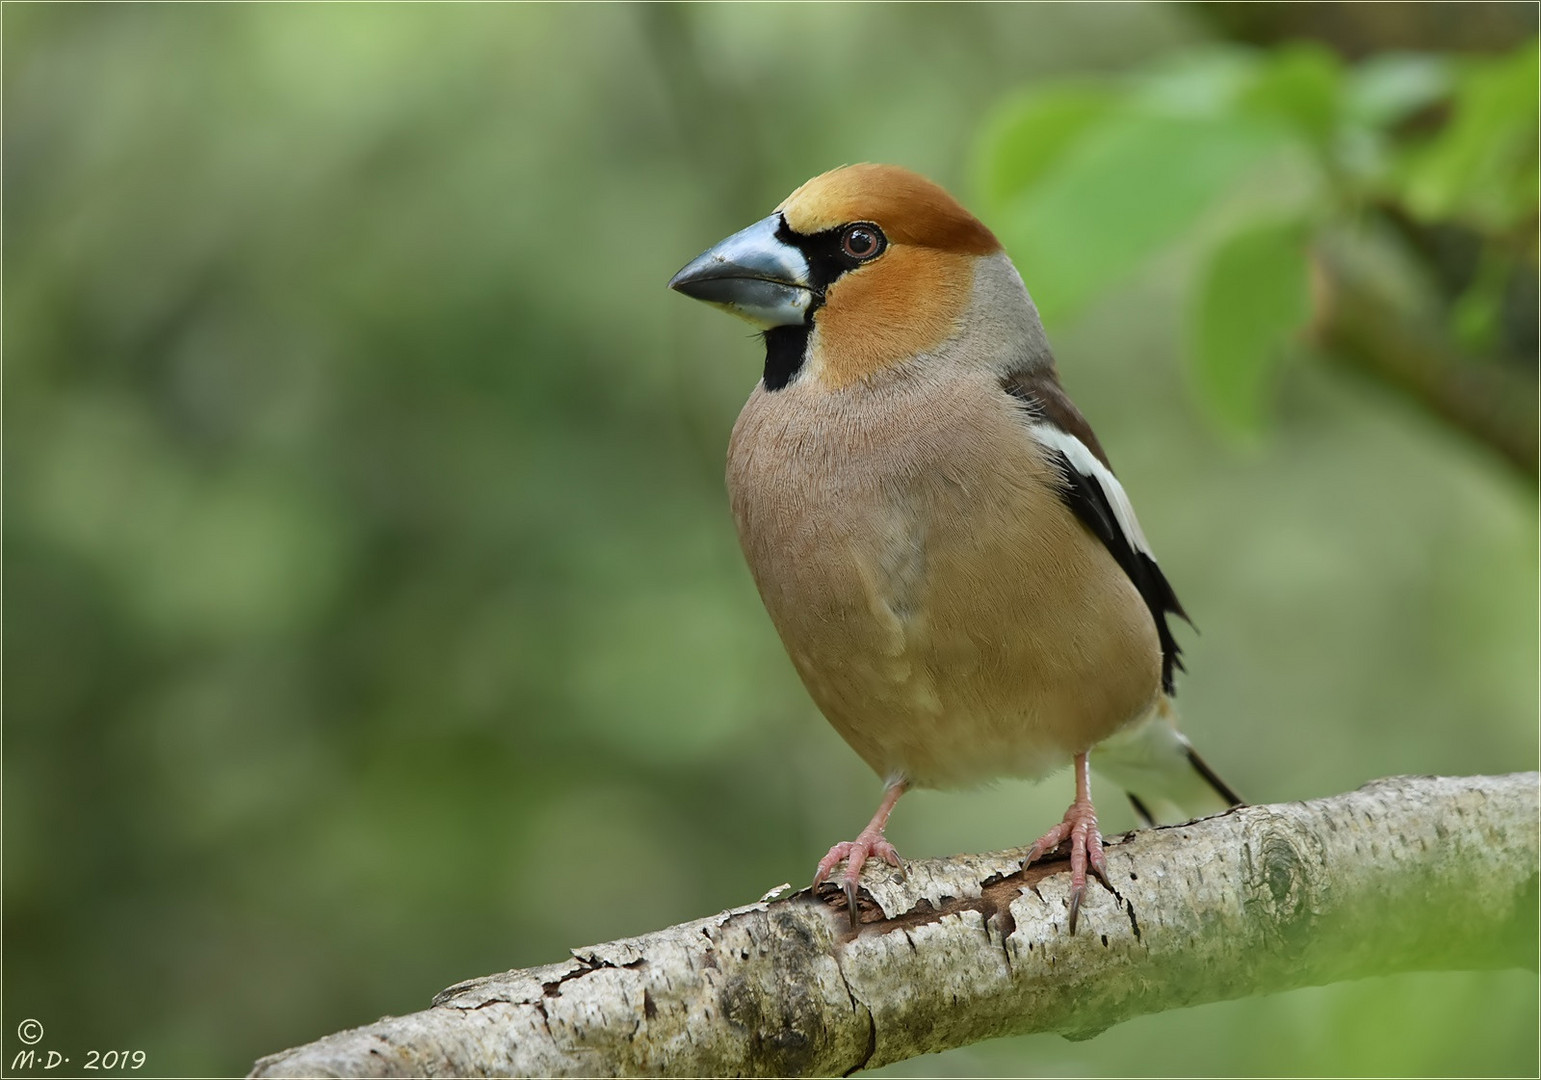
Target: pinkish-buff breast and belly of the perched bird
x=952 y=620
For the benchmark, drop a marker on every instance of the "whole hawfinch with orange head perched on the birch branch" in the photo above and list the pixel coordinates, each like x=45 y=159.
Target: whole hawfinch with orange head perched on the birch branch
x=938 y=535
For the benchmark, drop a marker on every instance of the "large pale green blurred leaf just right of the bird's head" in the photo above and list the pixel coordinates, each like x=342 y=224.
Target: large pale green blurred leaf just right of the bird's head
x=1124 y=190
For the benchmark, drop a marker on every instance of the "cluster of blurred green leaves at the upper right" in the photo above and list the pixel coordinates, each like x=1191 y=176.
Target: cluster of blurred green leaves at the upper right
x=1093 y=179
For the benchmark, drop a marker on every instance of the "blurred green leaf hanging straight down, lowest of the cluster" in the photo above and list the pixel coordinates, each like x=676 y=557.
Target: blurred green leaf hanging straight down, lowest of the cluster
x=1252 y=300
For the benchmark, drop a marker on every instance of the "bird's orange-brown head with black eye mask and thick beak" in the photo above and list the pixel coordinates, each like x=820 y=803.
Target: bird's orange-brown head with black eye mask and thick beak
x=858 y=272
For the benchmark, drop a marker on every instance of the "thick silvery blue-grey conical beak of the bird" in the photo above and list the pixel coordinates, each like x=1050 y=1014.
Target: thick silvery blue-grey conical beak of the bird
x=751 y=275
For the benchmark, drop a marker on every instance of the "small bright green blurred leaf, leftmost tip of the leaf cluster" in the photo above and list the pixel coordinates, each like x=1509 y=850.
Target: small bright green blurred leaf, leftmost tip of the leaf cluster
x=1030 y=133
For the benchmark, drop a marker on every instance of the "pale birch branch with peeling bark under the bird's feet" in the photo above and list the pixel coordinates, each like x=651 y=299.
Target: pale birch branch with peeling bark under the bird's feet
x=1403 y=874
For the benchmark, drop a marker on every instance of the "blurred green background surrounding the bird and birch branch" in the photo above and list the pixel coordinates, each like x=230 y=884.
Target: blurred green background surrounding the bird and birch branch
x=375 y=617
